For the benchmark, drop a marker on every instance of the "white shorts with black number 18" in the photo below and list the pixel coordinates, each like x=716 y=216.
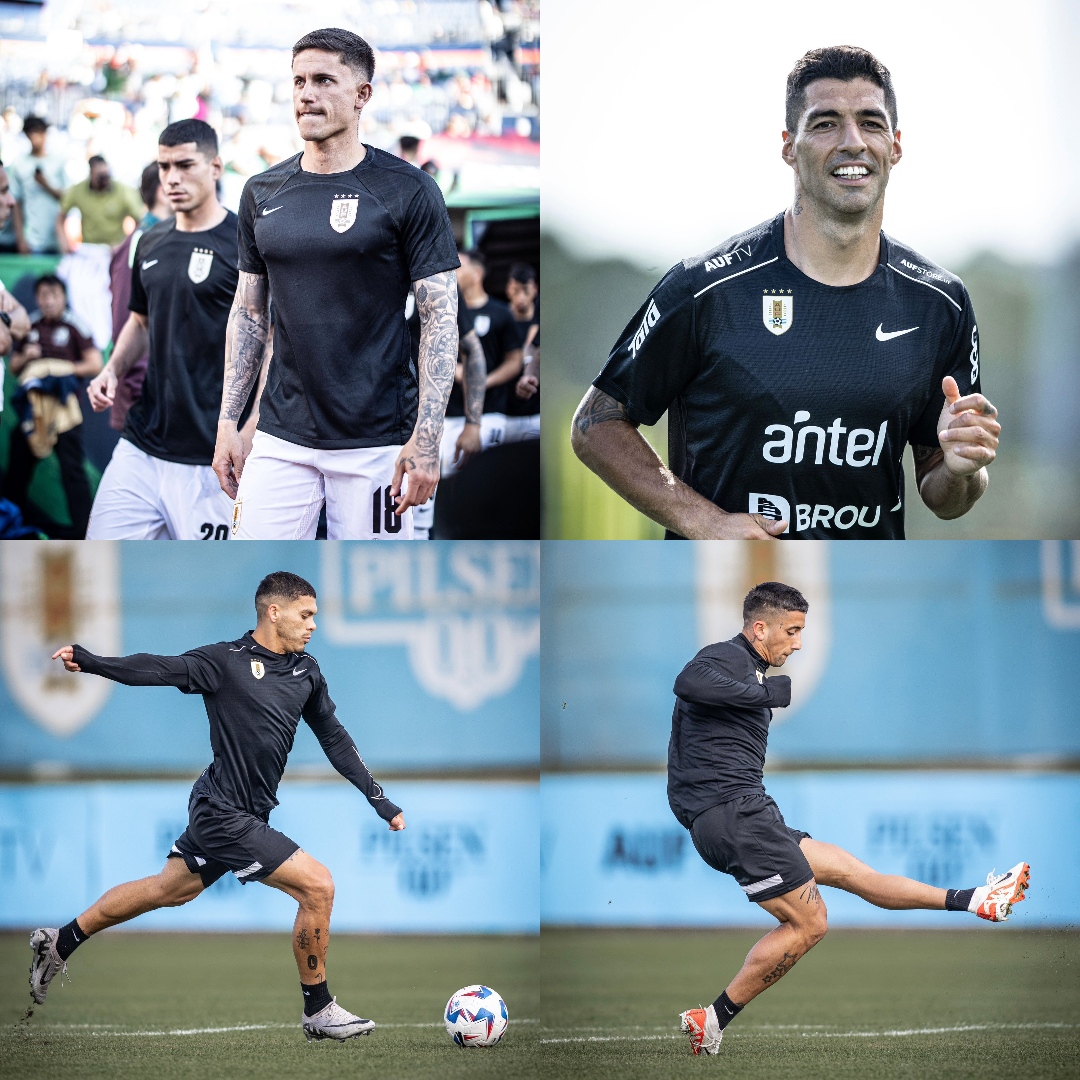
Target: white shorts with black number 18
x=285 y=485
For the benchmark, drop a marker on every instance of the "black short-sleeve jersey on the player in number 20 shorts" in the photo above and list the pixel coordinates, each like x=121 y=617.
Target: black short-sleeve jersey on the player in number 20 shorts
x=184 y=283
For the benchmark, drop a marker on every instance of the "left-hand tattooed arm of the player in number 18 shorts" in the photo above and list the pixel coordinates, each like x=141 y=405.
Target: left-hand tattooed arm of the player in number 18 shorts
x=246 y=344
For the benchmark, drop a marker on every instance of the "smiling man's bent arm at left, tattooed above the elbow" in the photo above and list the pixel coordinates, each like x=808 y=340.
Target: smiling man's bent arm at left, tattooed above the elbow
x=609 y=442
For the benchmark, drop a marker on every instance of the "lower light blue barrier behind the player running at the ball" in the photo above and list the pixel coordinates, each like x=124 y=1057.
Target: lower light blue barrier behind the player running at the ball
x=468 y=861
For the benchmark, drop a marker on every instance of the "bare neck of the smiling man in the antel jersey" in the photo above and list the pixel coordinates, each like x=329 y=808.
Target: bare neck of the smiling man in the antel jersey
x=834 y=253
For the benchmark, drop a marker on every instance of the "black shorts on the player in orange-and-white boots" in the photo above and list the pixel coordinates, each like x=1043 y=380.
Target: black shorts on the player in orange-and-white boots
x=748 y=839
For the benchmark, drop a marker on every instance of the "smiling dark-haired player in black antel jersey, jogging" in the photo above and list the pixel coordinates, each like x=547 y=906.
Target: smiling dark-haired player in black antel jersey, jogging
x=798 y=359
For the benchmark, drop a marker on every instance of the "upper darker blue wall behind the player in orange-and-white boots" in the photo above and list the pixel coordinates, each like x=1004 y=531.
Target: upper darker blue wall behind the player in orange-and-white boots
x=913 y=653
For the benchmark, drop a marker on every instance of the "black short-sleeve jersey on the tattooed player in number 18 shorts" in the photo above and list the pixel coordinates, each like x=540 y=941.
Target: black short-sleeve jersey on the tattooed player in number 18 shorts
x=341 y=251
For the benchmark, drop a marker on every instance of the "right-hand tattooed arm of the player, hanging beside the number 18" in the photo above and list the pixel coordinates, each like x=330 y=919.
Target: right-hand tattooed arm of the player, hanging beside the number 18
x=437 y=303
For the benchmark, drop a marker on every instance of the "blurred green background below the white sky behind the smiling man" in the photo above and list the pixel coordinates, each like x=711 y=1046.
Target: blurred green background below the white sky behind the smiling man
x=1030 y=331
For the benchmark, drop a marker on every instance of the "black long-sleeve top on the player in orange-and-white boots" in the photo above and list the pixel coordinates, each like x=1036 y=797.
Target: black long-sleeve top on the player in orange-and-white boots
x=721 y=727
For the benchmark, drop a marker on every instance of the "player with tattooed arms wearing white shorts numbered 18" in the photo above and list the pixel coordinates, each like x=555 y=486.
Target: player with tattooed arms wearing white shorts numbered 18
x=336 y=235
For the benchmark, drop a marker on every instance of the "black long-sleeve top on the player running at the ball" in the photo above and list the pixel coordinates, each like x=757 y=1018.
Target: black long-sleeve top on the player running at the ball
x=254 y=699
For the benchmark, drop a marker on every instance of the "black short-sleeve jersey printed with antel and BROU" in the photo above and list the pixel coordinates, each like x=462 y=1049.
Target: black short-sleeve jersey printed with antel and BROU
x=793 y=399
